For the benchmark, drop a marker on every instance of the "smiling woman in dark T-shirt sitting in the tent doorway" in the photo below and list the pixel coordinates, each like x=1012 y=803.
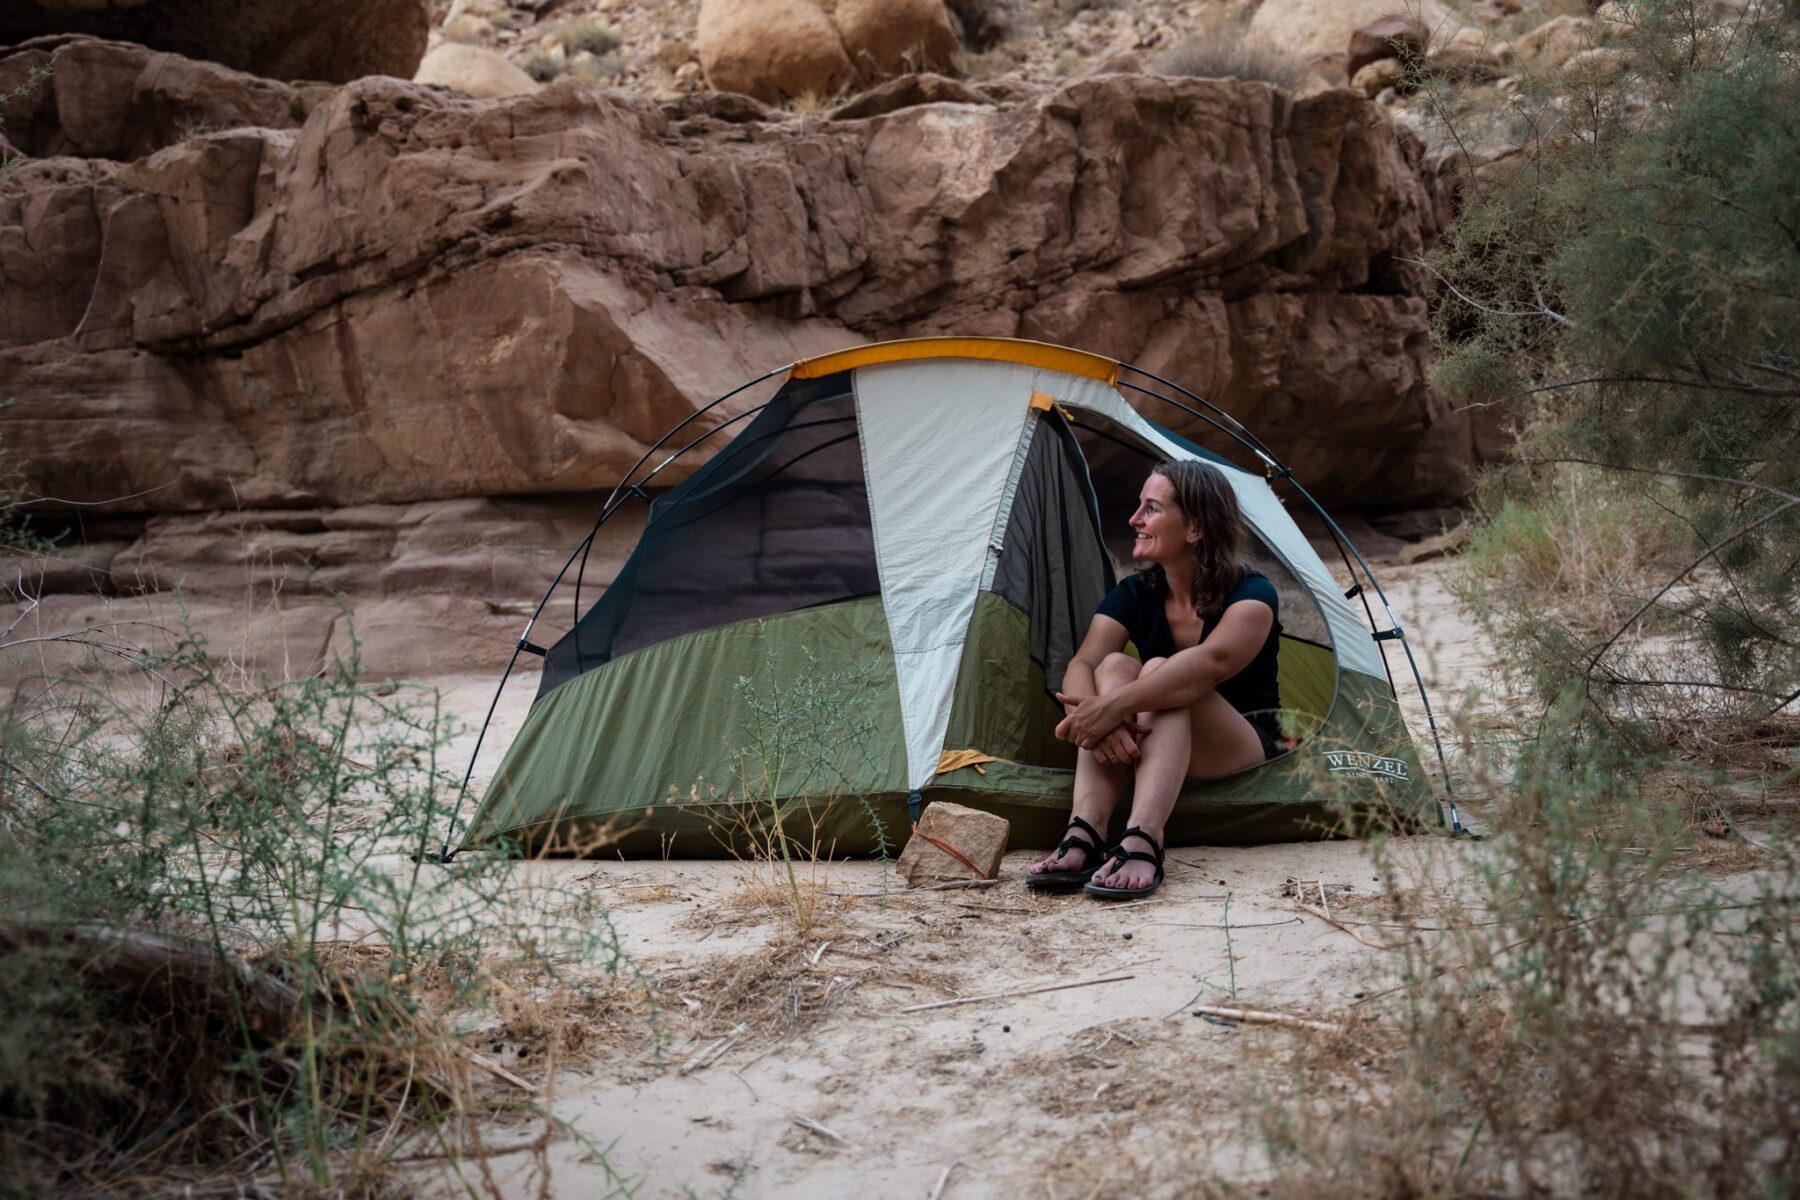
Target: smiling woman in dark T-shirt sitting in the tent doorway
x=1205 y=699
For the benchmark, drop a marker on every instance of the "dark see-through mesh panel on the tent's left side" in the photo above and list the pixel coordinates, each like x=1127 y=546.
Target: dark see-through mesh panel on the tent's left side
x=778 y=521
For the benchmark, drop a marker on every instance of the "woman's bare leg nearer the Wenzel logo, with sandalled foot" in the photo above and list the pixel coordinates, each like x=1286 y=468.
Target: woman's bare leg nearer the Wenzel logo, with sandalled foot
x=1207 y=739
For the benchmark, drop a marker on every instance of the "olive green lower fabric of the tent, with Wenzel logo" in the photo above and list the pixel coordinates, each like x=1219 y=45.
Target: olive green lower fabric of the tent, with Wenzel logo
x=660 y=753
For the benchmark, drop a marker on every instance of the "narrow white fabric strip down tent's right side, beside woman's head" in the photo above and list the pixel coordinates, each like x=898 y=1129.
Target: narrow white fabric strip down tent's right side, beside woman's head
x=1351 y=638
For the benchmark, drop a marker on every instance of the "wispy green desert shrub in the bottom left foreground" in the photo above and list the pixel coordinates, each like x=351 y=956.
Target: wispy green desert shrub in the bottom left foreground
x=222 y=940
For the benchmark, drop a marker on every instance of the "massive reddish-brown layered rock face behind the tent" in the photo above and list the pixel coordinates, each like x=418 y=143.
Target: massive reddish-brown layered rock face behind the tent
x=219 y=291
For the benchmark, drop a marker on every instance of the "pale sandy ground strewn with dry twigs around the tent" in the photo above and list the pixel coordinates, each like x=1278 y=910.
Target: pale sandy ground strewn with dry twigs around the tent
x=787 y=1066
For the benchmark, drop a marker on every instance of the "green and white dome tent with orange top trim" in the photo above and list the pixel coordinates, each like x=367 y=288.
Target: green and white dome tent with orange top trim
x=867 y=598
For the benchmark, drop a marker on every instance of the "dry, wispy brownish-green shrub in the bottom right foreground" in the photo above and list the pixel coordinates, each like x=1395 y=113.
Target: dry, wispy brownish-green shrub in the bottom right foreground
x=1576 y=1016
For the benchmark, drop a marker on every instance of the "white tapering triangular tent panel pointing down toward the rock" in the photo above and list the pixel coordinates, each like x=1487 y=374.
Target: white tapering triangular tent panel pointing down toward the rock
x=939 y=447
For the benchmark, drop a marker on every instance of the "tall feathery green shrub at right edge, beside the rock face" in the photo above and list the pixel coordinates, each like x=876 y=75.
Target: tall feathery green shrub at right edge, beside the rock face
x=1623 y=283
